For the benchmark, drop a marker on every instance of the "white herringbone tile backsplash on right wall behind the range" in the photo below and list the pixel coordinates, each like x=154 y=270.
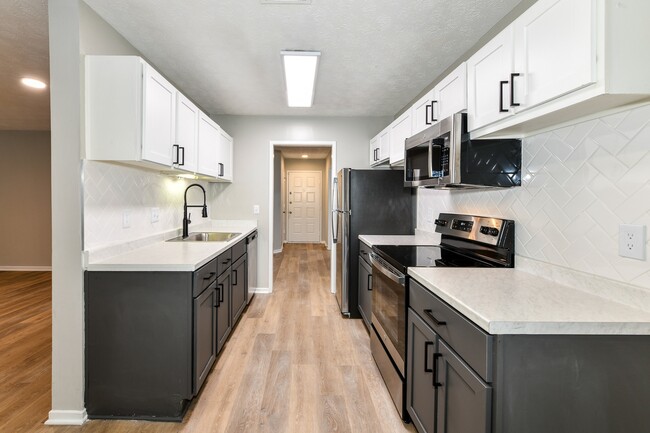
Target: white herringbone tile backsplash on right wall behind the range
x=579 y=183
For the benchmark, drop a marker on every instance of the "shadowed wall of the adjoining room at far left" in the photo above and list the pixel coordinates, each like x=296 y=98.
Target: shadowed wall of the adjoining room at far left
x=26 y=221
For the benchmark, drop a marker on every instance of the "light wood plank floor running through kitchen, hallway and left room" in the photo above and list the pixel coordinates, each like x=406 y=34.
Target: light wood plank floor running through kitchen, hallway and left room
x=292 y=364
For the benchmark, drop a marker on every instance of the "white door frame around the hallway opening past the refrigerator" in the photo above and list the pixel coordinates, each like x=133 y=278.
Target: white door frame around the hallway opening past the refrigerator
x=333 y=171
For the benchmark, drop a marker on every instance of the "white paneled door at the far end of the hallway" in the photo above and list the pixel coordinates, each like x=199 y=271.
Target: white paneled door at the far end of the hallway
x=304 y=206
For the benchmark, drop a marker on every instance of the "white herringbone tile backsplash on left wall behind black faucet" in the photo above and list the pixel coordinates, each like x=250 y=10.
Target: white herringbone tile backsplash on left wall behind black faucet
x=110 y=190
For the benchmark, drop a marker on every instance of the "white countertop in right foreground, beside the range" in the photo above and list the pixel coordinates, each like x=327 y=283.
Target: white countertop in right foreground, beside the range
x=509 y=301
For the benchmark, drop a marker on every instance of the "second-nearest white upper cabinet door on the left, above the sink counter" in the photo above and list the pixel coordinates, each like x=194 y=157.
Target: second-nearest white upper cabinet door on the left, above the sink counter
x=185 y=151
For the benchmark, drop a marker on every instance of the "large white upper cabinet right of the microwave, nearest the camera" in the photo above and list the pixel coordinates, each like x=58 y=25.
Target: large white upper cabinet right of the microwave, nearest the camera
x=559 y=61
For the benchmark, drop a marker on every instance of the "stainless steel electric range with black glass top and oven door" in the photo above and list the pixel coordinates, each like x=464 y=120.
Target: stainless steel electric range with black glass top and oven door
x=466 y=241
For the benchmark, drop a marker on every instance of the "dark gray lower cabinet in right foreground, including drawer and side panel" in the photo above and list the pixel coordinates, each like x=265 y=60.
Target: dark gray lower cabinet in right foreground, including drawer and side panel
x=463 y=380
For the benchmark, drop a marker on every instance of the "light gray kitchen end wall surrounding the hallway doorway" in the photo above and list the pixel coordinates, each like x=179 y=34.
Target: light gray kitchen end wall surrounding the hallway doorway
x=253 y=134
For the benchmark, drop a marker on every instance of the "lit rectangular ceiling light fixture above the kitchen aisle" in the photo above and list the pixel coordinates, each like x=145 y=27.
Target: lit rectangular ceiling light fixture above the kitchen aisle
x=300 y=76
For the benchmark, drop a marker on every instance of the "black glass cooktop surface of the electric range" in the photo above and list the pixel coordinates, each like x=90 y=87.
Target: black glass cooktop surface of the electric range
x=407 y=256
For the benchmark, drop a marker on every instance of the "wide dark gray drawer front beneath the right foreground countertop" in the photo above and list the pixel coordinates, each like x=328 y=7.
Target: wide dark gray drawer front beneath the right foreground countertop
x=472 y=343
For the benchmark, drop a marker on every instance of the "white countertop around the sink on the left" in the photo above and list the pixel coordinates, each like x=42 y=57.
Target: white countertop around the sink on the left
x=173 y=256
